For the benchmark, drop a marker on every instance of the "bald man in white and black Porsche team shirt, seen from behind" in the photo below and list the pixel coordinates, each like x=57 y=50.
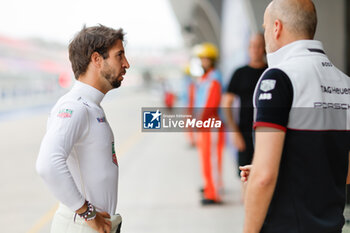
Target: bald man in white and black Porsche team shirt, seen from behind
x=297 y=180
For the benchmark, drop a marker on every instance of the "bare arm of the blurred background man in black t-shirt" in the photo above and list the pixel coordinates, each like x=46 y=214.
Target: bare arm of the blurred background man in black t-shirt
x=227 y=102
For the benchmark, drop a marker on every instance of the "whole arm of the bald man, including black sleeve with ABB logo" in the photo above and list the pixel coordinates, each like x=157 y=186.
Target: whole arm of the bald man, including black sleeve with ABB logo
x=271 y=127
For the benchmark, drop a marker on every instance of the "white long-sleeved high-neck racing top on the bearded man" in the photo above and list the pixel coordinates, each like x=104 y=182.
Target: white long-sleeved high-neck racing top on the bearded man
x=77 y=159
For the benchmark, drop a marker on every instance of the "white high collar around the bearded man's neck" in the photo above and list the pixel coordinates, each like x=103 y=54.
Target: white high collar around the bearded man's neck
x=88 y=92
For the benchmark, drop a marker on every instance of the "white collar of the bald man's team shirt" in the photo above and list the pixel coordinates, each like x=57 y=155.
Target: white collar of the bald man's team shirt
x=296 y=48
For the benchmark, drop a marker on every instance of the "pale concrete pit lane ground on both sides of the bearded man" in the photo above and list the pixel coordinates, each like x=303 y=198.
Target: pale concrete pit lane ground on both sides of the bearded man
x=159 y=176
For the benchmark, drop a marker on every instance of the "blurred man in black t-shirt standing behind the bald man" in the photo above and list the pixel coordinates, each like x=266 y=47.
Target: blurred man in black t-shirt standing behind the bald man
x=242 y=85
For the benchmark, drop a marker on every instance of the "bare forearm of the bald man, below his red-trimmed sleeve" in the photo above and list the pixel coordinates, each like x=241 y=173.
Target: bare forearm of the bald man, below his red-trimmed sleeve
x=263 y=177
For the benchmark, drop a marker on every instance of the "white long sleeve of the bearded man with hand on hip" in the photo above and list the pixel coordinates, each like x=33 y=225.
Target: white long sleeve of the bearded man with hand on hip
x=67 y=124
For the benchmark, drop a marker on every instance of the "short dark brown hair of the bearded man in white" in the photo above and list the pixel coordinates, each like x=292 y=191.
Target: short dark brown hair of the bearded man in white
x=89 y=40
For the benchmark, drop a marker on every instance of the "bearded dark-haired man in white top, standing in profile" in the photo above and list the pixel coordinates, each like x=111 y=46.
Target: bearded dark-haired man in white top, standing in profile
x=77 y=159
